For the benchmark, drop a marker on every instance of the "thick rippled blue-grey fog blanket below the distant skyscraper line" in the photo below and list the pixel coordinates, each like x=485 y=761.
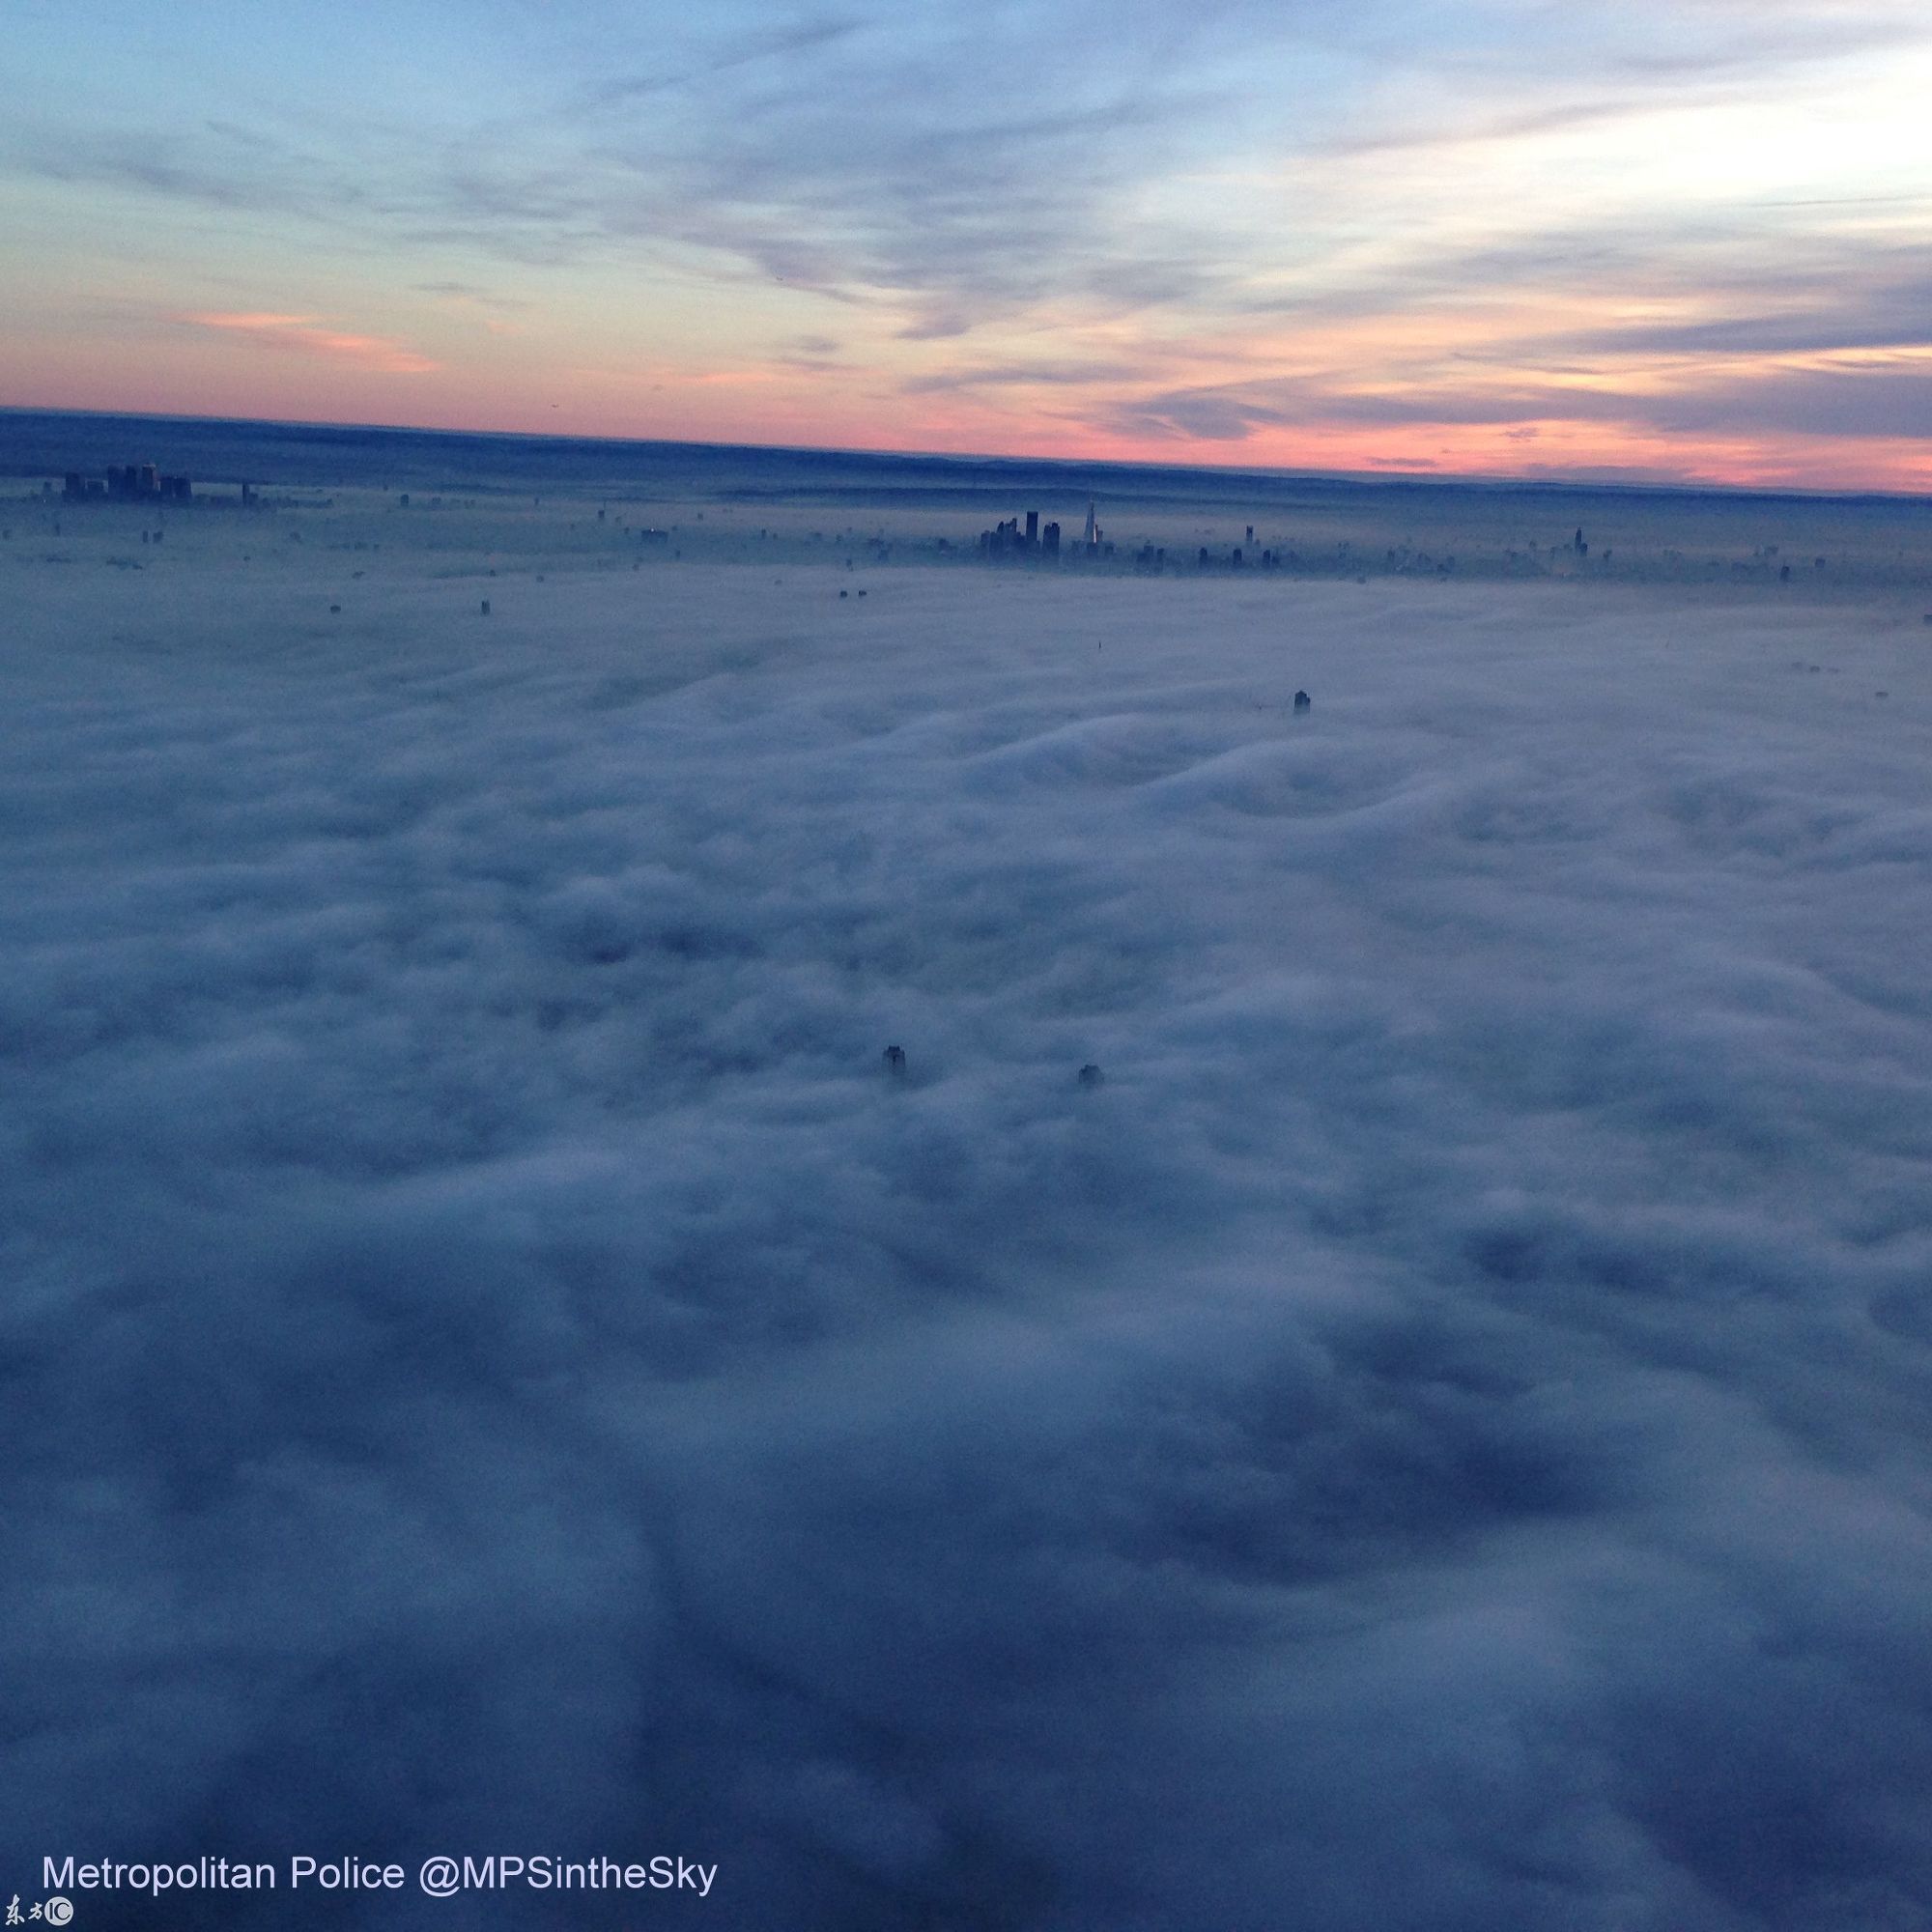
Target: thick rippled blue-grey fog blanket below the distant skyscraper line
x=494 y=1361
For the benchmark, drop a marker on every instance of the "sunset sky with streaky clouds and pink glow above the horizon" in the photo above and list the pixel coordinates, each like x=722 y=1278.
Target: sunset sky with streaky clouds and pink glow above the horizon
x=1653 y=241
